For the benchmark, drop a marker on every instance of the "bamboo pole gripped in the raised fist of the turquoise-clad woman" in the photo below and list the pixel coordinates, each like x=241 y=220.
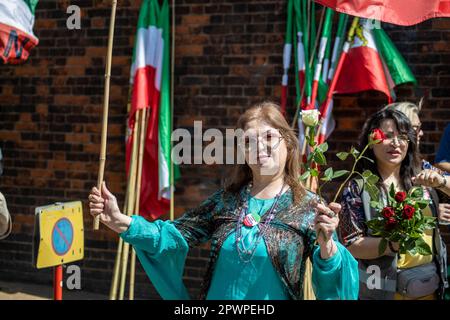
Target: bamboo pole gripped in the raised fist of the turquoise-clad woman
x=102 y=159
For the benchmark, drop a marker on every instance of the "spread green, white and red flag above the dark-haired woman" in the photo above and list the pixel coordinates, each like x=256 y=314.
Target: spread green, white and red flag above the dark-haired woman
x=371 y=62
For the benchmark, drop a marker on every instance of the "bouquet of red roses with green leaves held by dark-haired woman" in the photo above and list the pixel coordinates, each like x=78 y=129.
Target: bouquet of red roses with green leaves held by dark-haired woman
x=403 y=221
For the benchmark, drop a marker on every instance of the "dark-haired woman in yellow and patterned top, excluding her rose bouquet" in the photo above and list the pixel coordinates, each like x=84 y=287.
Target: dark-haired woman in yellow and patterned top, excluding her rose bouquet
x=395 y=161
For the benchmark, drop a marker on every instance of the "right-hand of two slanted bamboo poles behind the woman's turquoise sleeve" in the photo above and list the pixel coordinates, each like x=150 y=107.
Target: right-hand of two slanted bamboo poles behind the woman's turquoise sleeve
x=138 y=196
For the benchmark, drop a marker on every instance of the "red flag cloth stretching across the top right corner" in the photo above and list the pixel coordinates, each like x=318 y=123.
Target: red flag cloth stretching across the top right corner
x=401 y=12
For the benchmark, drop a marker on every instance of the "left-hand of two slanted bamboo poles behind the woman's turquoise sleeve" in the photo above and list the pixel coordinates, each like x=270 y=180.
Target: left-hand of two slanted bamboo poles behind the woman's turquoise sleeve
x=130 y=207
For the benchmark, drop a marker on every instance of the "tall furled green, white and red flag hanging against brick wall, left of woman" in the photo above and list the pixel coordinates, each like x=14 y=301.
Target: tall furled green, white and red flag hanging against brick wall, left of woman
x=151 y=89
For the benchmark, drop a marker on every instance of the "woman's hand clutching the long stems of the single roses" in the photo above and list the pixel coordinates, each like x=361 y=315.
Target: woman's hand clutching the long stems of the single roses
x=326 y=223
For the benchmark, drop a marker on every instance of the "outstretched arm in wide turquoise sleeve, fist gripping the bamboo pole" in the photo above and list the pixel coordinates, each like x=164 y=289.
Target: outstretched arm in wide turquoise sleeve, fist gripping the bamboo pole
x=161 y=246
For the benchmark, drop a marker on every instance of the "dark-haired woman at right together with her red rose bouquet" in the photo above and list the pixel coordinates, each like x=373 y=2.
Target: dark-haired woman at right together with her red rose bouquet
x=386 y=273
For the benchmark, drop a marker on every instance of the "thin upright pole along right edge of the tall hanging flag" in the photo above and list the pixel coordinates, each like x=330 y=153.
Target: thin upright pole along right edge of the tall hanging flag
x=172 y=81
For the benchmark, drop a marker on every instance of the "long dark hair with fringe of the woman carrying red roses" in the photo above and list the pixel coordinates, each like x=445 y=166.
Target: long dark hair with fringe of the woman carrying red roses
x=410 y=165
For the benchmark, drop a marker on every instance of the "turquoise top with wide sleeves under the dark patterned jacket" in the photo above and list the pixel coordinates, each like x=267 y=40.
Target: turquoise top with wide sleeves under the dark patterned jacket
x=162 y=251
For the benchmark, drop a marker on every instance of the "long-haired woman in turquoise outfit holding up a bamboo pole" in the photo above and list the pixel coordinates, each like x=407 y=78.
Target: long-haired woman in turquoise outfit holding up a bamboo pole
x=262 y=226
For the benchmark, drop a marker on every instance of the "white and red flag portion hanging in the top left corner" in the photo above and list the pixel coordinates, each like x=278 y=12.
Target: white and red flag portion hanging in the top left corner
x=16 y=30
